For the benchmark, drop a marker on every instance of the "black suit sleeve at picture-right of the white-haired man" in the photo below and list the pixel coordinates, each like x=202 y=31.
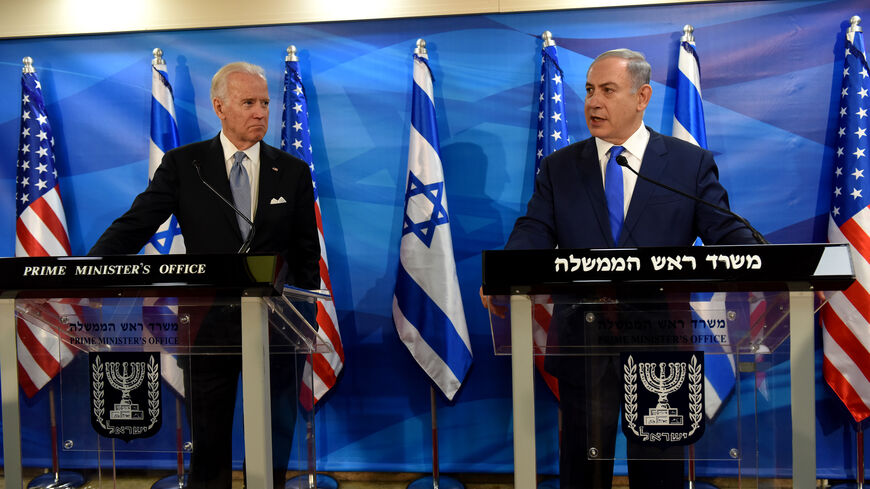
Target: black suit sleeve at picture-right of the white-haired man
x=304 y=252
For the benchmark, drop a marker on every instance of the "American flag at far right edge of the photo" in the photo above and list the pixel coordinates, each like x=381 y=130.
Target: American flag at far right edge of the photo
x=846 y=317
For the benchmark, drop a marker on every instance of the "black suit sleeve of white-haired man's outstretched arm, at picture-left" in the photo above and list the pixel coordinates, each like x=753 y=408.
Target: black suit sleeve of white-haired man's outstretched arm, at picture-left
x=130 y=232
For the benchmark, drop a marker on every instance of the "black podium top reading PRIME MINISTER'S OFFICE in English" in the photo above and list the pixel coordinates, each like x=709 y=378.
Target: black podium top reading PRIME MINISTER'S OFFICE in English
x=142 y=275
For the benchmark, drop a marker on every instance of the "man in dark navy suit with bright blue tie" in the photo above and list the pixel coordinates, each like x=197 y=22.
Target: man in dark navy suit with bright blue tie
x=569 y=209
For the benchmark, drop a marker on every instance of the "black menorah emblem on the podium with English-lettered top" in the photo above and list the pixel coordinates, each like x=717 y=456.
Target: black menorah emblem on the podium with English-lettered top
x=125 y=394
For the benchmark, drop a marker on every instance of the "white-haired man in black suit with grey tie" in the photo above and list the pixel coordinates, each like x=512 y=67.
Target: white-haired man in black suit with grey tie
x=275 y=190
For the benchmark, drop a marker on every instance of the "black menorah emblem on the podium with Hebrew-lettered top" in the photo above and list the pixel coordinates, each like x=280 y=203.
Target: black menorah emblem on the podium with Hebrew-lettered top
x=663 y=397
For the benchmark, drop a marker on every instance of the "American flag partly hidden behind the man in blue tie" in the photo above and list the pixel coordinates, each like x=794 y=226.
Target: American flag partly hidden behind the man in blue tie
x=552 y=134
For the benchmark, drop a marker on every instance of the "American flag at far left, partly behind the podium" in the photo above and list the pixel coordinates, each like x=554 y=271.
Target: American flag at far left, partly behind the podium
x=40 y=230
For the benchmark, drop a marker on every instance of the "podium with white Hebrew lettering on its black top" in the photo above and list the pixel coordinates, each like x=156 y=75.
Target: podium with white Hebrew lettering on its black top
x=622 y=318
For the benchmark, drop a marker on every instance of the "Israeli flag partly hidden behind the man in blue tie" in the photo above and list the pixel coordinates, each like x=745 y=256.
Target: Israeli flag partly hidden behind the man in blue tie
x=720 y=375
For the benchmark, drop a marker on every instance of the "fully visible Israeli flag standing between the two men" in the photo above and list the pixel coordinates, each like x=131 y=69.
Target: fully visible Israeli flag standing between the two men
x=427 y=305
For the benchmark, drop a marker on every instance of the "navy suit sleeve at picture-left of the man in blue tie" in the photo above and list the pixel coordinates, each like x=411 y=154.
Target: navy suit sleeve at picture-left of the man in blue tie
x=537 y=229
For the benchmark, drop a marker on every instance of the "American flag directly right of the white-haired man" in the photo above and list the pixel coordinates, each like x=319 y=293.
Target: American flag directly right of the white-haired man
x=296 y=140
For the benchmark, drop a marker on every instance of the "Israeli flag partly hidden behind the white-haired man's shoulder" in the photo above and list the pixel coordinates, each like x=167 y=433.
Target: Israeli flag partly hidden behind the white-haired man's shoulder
x=164 y=136
